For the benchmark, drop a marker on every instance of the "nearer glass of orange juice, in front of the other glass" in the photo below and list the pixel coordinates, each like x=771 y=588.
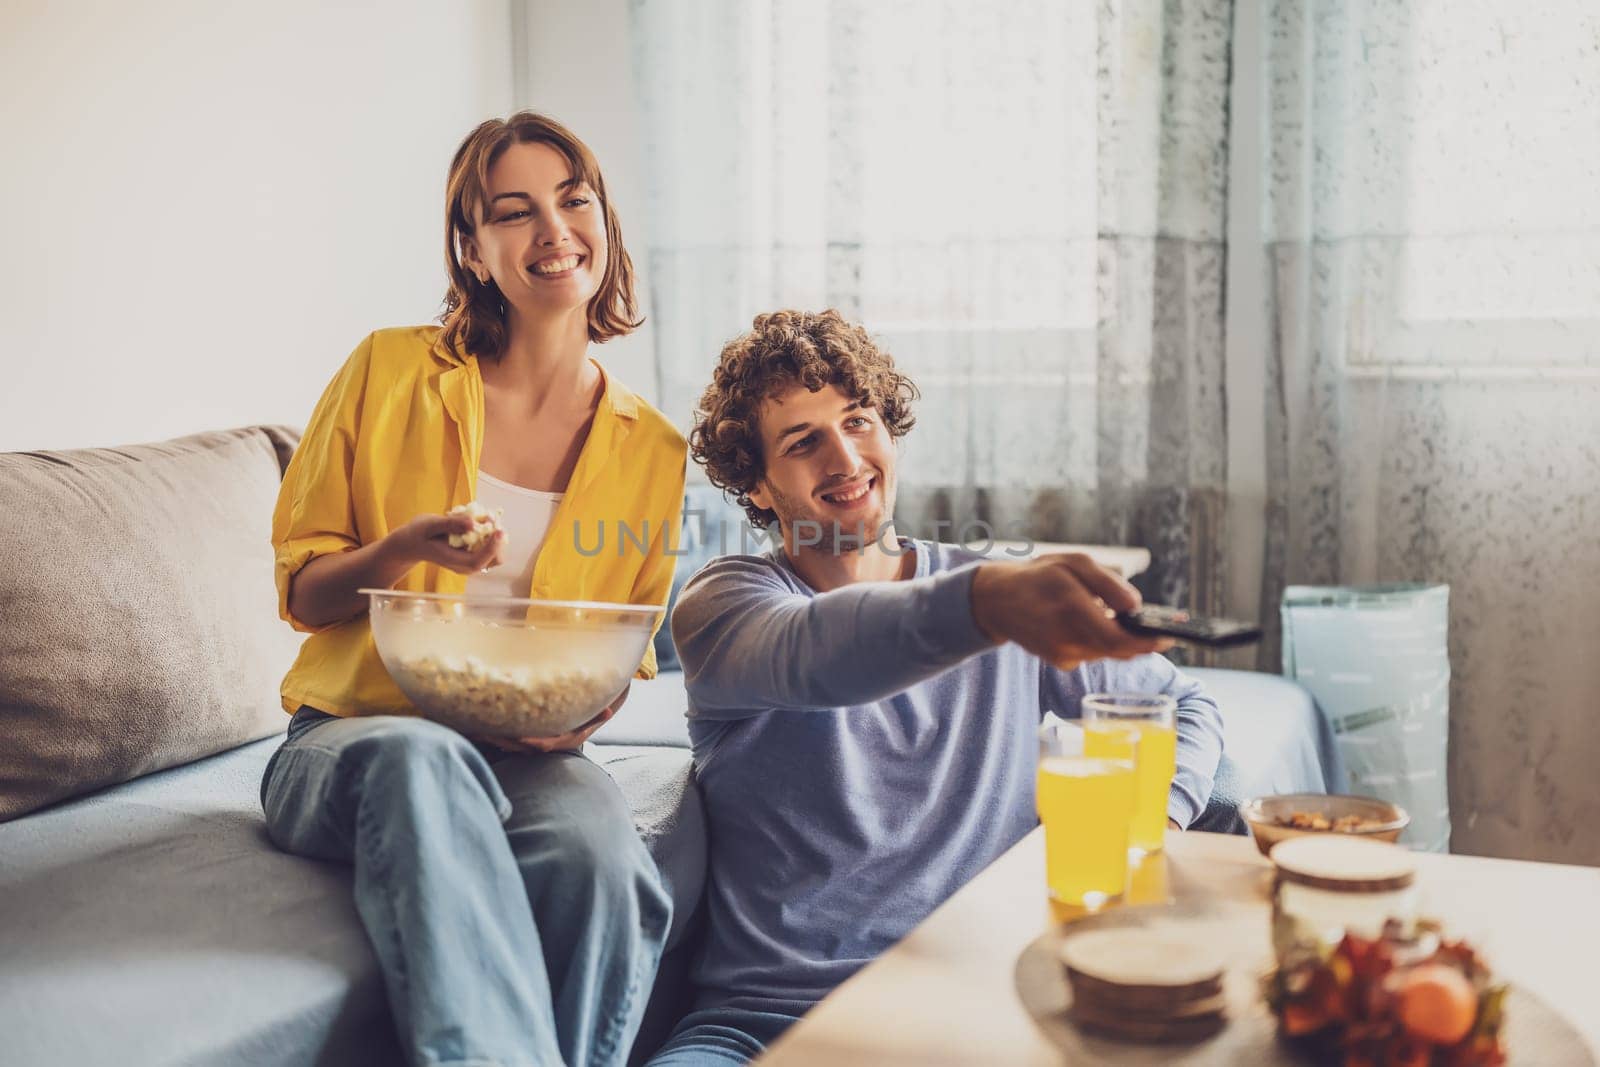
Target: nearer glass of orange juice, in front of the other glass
x=1087 y=809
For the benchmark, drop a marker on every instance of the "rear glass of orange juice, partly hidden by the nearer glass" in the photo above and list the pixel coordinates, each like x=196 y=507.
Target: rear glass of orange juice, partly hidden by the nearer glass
x=1108 y=717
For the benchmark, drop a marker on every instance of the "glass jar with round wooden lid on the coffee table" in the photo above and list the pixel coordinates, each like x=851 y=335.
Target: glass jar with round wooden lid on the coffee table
x=1327 y=885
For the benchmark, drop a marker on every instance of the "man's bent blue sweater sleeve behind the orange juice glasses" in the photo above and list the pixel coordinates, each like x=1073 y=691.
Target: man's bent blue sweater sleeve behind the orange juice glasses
x=1199 y=721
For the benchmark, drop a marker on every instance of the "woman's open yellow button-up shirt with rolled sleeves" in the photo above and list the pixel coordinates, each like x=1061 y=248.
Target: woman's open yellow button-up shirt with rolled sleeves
x=398 y=434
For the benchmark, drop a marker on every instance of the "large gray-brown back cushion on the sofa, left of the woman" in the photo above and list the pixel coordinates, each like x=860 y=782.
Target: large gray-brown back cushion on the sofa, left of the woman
x=140 y=625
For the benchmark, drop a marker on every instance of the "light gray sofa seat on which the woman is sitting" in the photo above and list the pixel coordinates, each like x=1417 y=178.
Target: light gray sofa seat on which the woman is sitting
x=156 y=924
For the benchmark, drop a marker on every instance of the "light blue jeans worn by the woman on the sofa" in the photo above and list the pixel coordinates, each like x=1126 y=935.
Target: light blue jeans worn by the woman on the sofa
x=513 y=908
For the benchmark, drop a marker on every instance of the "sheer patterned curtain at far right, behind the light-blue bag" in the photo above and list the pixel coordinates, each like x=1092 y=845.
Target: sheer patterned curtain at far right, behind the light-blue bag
x=1434 y=382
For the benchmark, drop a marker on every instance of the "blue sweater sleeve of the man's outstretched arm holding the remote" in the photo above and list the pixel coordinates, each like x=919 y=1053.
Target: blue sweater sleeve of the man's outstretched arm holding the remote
x=750 y=642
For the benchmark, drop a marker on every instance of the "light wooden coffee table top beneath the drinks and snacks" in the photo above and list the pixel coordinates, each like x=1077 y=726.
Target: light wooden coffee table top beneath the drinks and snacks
x=946 y=994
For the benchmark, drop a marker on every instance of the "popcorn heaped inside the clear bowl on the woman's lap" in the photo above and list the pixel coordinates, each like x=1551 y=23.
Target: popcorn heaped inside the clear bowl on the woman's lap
x=478 y=698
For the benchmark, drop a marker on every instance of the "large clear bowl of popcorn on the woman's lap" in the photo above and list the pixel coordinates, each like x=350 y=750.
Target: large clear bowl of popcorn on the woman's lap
x=506 y=666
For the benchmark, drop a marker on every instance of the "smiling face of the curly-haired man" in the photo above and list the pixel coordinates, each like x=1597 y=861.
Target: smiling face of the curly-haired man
x=828 y=462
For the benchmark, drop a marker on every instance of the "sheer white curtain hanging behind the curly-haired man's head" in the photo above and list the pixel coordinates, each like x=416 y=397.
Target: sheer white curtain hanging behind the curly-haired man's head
x=1022 y=201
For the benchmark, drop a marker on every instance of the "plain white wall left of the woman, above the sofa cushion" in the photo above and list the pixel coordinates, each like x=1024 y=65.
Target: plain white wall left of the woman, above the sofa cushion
x=206 y=206
